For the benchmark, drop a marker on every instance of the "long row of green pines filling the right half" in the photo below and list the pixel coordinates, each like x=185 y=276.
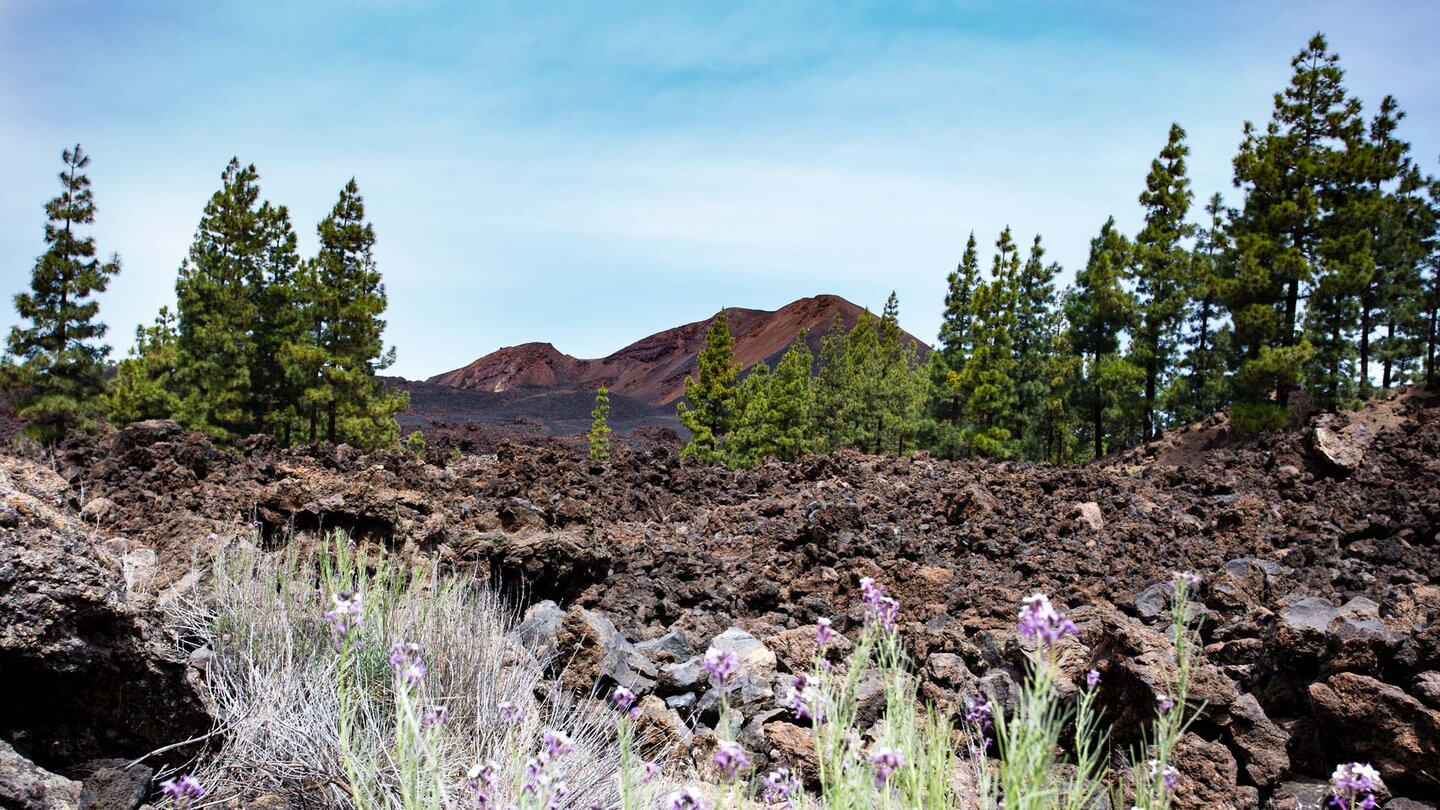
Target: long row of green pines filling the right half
x=1324 y=282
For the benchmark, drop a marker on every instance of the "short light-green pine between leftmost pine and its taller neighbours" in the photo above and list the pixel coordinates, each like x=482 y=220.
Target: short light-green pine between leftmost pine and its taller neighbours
x=145 y=386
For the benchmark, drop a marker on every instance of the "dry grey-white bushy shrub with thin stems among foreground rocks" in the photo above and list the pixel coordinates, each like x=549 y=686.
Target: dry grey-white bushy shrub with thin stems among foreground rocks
x=310 y=706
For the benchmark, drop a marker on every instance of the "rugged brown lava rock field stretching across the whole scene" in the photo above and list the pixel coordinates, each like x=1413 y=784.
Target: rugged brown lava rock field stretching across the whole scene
x=1318 y=550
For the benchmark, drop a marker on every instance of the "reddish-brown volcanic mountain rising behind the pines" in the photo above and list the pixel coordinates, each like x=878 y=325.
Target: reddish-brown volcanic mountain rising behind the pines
x=654 y=370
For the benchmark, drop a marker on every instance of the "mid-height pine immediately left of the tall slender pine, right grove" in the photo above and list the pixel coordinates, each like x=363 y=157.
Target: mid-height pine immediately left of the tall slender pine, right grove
x=1098 y=312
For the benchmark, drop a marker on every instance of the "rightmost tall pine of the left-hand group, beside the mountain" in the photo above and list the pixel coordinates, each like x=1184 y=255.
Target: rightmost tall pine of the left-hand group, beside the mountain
x=348 y=298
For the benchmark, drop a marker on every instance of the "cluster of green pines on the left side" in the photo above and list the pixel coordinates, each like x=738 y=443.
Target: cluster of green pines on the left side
x=261 y=341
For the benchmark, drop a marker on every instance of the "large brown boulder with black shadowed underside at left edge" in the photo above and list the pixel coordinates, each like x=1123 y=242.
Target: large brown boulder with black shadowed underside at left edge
x=84 y=668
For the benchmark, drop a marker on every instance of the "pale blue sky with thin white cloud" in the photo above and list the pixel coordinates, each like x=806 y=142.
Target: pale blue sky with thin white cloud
x=590 y=174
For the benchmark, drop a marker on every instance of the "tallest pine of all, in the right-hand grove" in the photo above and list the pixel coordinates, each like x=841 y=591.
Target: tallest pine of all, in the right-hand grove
x=1290 y=174
